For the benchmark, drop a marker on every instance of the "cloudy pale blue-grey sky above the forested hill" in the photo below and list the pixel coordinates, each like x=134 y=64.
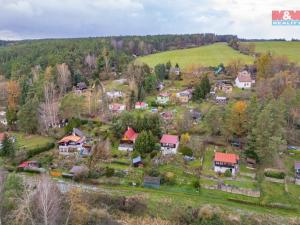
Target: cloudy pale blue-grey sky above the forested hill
x=34 y=19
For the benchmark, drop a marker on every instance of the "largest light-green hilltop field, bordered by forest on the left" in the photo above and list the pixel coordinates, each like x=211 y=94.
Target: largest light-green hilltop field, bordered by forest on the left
x=210 y=55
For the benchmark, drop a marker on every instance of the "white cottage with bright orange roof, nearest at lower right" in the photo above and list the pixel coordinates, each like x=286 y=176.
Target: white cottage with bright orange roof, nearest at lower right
x=226 y=161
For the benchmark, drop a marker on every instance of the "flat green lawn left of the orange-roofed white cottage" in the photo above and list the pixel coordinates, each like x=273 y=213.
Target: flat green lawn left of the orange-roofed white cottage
x=27 y=142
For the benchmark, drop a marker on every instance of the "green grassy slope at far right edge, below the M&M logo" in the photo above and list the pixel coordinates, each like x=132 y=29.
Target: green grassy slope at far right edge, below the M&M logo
x=289 y=49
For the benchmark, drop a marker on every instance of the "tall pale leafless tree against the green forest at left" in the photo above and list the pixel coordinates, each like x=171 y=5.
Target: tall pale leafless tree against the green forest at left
x=64 y=78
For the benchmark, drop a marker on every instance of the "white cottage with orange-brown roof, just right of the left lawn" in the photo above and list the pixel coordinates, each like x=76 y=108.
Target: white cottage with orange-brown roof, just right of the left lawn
x=72 y=144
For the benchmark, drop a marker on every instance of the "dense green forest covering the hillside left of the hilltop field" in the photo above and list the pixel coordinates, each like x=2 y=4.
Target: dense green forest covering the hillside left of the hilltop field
x=18 y=59
